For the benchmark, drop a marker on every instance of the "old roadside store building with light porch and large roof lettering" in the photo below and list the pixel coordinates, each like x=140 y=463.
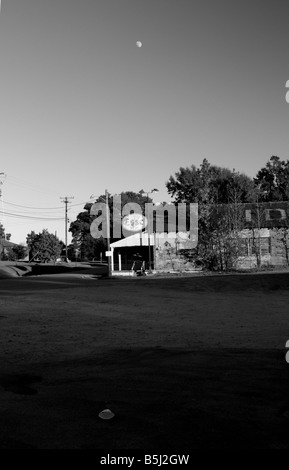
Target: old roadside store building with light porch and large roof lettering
x=168 y=250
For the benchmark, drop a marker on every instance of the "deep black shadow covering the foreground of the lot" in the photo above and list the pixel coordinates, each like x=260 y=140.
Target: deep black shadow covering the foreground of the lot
x=161 y=398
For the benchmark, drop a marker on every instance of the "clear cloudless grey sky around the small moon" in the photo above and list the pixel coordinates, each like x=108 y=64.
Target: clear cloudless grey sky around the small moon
x=82 y=108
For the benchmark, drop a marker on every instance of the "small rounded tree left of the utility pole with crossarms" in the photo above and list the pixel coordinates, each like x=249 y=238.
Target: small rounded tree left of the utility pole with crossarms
x=43 y=246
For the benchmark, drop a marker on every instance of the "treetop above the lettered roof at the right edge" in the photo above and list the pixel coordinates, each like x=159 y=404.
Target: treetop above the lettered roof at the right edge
x=273 y=180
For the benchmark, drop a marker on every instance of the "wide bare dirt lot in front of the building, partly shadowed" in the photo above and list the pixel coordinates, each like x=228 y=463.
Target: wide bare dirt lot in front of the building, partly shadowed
x=188 y=362
